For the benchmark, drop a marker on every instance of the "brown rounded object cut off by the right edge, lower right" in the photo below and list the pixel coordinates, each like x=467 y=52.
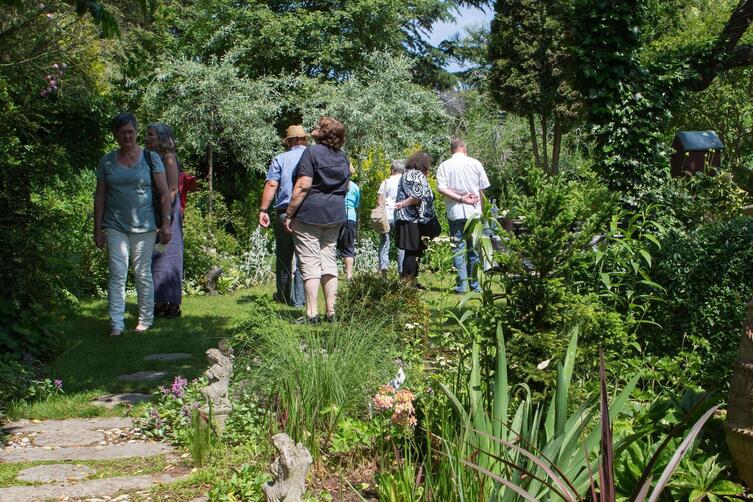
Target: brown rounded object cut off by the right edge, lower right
x=739 y=425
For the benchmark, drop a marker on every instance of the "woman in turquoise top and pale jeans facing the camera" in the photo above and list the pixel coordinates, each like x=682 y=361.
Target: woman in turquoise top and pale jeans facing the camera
x=124 y=220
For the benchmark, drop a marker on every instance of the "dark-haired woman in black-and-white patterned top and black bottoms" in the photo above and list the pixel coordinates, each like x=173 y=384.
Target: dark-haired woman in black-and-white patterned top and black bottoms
x=414 y=204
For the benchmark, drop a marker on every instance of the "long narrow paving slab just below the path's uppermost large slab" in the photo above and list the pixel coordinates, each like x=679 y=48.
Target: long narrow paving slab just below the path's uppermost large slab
x=123 y=450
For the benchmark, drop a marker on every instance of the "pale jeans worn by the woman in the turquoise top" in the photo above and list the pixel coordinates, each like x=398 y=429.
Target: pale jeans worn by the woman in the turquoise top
x=138 y=248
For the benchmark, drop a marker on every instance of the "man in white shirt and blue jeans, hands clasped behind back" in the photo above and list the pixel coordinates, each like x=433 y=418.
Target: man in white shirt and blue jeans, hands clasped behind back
x=462 y=180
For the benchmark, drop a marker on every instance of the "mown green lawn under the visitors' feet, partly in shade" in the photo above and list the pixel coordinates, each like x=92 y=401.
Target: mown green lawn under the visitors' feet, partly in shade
x=90 y=361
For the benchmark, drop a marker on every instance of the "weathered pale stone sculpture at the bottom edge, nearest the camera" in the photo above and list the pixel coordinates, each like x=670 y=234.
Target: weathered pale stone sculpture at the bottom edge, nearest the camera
x=288 y=470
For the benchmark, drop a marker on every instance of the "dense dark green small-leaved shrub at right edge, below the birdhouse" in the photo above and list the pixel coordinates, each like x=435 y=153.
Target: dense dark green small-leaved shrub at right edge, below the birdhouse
x=708 y=276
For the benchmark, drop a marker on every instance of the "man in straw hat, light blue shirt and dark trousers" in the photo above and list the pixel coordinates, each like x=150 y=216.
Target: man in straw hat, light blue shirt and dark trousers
x=279 y=186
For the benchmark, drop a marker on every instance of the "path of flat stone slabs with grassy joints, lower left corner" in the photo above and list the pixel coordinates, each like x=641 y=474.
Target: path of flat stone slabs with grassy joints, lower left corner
x=56 y=448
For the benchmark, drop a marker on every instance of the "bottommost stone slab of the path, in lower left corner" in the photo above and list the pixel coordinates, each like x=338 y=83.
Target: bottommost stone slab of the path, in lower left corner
x=85 y=489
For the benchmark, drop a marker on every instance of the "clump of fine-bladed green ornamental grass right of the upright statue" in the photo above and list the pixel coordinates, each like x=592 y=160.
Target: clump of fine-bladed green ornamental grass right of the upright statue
x=314 y=377
